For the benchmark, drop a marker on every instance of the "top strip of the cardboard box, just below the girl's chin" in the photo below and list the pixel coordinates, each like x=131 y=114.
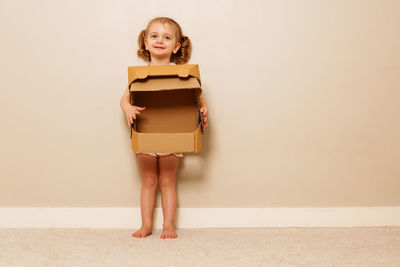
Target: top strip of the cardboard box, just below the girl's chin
x=183 y=71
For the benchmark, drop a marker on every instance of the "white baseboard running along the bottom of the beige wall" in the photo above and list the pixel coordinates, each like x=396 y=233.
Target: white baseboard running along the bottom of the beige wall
x=114 y=217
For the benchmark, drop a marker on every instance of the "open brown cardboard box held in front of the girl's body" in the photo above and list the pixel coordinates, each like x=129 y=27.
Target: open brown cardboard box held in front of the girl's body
x=172 y=121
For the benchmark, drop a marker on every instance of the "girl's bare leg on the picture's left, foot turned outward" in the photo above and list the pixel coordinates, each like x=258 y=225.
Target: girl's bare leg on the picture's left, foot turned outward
x=148 y=171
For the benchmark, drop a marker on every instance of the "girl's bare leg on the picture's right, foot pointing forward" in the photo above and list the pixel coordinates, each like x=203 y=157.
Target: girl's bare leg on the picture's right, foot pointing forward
x=167 y=179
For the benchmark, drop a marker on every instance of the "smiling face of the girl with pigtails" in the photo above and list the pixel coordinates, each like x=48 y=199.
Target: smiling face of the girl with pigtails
x=161 y=40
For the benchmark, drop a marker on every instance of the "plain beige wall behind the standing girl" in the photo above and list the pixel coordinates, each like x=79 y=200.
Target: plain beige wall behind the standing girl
x=303 y=100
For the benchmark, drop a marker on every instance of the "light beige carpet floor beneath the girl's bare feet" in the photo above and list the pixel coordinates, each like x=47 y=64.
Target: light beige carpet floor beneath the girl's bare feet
x=366 y=246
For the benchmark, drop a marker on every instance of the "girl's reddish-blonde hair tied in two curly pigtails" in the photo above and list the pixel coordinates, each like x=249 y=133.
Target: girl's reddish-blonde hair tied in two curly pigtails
x=181 y=56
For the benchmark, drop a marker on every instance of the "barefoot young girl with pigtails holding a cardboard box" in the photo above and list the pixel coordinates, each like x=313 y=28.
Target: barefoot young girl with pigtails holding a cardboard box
x=161 y=43
